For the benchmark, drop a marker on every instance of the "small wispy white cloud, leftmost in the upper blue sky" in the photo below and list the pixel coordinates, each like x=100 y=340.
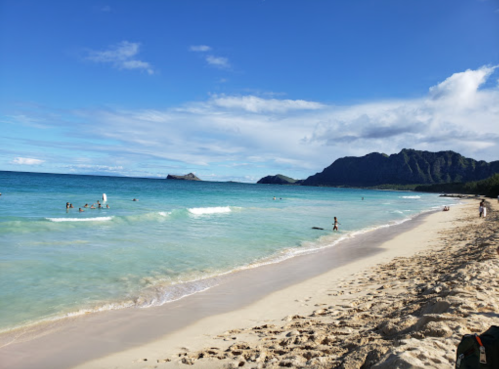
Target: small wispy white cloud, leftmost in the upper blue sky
x=121 y=56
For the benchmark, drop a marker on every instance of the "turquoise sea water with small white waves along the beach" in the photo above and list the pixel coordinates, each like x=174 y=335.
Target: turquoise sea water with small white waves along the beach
x=169 y=244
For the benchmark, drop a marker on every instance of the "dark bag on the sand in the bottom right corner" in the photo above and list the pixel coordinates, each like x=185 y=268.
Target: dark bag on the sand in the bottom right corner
x=479 y=351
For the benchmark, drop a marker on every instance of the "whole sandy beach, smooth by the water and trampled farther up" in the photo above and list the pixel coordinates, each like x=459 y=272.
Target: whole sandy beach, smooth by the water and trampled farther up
x=404 y=301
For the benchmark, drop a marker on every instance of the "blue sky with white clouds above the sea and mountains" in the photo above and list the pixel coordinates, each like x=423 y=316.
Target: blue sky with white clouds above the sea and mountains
x=235 y=90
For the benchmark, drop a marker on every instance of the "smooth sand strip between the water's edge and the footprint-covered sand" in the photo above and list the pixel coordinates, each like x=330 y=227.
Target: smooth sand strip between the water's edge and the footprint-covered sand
x=229 y=312
